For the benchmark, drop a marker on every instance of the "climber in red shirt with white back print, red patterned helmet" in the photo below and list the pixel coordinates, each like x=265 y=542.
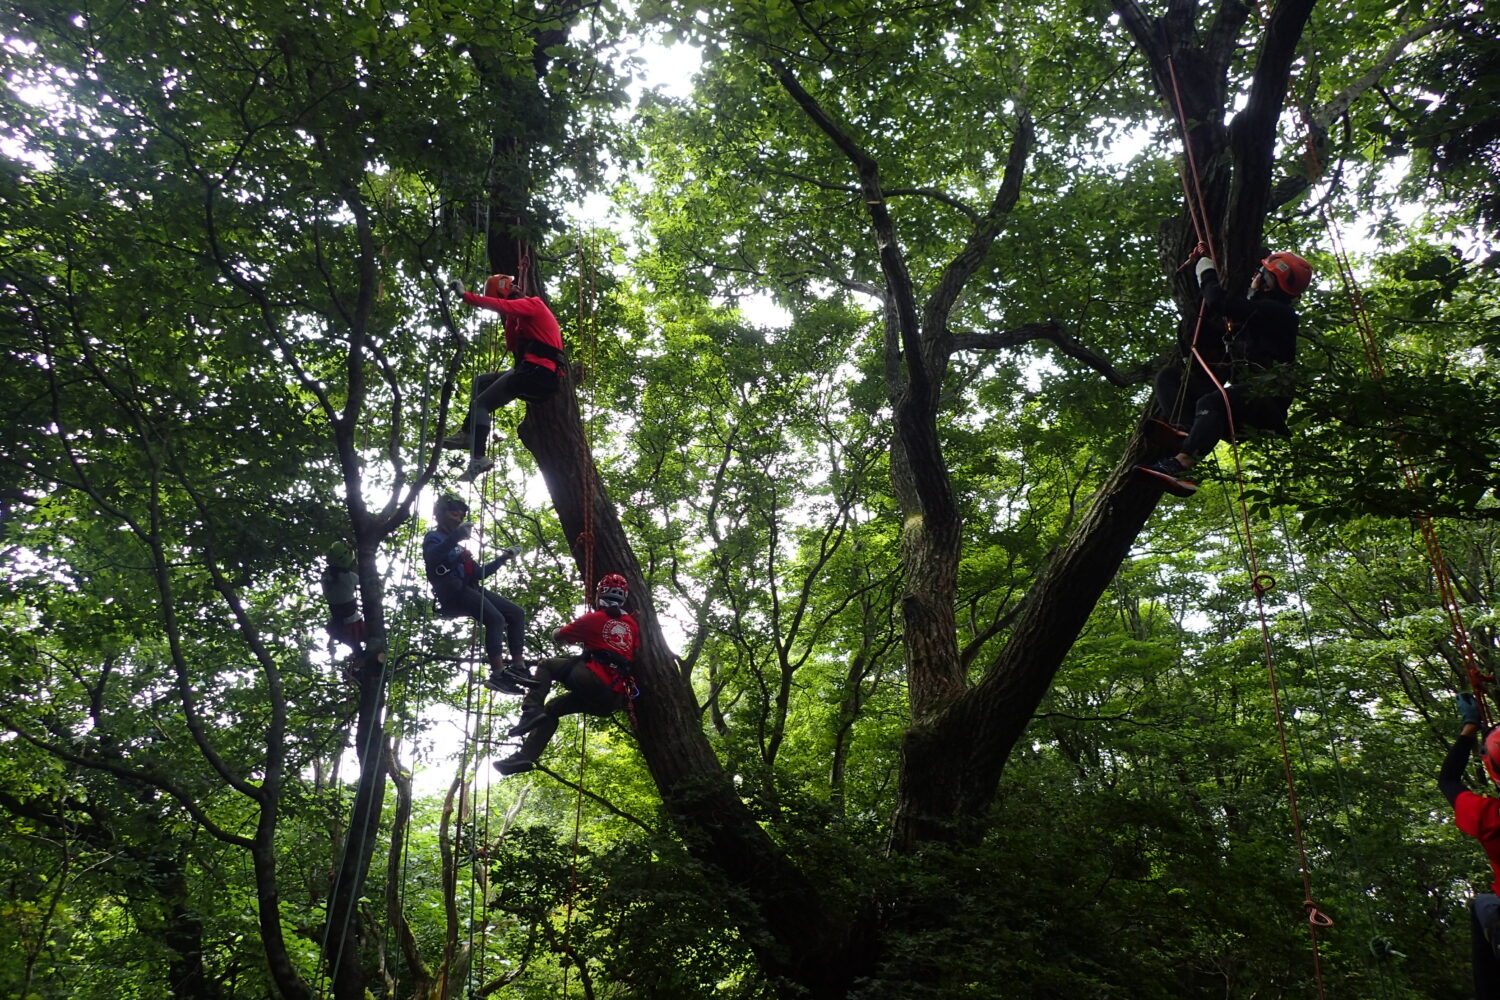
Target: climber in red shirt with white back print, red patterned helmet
x=599 y=681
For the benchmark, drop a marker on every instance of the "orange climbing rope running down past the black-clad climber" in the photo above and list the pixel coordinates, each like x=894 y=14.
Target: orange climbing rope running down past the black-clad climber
x=1261 y=584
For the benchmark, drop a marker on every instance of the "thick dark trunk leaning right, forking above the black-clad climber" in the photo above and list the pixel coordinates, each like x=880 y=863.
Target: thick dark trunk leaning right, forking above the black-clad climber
x=955 y=756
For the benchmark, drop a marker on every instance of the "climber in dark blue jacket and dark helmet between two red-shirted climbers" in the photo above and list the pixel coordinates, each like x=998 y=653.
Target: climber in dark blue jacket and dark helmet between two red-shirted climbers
x=455 y=581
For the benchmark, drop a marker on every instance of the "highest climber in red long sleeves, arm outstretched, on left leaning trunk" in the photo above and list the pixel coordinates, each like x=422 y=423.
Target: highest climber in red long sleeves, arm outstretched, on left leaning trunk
x=535 y=340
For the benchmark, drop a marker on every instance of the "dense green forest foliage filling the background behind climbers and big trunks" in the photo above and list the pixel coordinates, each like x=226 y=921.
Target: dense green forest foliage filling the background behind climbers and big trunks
x=223 y=239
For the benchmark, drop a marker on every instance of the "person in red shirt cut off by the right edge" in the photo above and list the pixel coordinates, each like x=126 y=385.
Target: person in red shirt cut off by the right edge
x=1480 y=818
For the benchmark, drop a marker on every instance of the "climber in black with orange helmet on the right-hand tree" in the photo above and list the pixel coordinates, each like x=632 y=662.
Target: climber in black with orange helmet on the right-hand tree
x=1249 y=346
